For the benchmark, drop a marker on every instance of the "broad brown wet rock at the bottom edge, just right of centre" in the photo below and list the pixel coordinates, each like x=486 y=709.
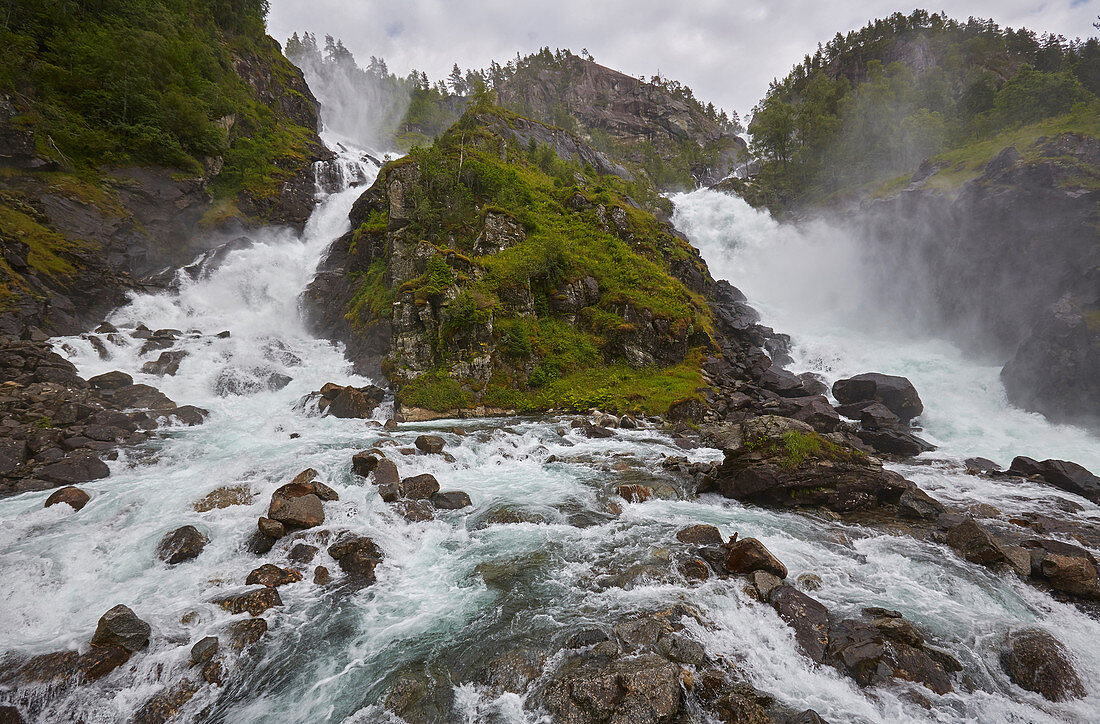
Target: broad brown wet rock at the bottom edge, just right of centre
x=644 y=689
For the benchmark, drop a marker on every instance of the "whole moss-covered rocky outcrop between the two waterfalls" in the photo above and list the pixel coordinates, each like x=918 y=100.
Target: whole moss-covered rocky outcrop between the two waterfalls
x=492 y=273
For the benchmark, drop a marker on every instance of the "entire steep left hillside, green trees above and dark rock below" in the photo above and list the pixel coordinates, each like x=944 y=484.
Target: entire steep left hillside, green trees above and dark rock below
x=129 y=134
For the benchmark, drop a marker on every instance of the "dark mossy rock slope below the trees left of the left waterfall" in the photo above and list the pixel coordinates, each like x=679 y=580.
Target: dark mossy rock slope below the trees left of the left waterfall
x=74 y=239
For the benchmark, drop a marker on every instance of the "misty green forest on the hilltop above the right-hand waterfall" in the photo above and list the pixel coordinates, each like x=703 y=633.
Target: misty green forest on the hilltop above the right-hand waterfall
x=871 y=106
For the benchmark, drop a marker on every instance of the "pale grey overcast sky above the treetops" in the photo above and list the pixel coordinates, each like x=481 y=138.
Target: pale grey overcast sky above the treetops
x=727 y=51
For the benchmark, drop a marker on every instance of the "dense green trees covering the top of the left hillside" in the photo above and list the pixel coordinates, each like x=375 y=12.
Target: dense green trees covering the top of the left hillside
x=150 y=82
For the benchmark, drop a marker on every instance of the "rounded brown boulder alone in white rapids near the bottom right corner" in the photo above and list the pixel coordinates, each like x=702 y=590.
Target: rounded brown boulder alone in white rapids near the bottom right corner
x=1036 y=661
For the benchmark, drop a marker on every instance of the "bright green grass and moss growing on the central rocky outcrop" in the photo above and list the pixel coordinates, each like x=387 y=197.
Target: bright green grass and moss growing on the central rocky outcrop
x=551 y=308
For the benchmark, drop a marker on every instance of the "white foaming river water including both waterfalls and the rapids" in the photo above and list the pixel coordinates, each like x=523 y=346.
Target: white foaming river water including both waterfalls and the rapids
x=454 y=594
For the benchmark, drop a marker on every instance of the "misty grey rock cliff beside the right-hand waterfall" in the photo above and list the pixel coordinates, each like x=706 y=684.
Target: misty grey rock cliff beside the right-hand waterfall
x=1008 y=265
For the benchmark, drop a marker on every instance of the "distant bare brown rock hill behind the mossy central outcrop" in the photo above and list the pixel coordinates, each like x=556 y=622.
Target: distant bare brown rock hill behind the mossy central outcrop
x=639 y=124
